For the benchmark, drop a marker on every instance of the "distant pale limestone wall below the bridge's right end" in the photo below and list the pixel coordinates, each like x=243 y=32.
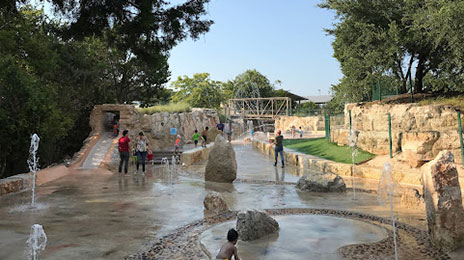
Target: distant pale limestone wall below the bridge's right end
x=310 y=123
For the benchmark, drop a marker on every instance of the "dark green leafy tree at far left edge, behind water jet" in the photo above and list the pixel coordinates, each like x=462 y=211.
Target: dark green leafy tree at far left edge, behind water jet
x=29 y=100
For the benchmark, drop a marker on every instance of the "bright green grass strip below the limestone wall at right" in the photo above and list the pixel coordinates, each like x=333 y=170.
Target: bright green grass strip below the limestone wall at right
x=320 y=147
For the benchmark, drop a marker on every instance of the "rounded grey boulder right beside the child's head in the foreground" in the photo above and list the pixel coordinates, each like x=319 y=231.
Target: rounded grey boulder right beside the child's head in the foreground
x=253 y=224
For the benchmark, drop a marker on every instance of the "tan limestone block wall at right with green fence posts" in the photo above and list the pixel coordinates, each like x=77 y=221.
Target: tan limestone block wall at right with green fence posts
x=419 y=133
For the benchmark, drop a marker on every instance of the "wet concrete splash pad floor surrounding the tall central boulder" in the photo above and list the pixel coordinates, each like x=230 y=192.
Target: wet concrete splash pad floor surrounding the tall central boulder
x=94 y=214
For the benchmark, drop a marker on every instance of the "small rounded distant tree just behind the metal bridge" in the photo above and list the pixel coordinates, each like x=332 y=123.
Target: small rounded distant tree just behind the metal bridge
x=250 y=83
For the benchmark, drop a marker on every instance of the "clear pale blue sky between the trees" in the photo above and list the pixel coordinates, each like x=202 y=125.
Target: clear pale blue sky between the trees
x=284 y=40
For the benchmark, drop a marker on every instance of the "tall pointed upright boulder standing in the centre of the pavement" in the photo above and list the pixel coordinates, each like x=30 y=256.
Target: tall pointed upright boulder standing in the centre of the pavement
x=221 y=166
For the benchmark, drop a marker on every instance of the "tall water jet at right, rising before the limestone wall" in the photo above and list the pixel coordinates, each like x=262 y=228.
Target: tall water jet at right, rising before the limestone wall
x=385 y=191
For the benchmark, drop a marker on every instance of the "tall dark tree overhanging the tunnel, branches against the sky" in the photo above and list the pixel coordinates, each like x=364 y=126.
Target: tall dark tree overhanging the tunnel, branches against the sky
x=137 y=36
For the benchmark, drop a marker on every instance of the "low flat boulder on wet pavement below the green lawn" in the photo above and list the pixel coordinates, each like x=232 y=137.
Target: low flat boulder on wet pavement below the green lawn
x=321 y=182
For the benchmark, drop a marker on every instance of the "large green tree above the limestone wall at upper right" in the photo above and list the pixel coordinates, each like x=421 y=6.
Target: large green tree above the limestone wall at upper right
x=385 y=39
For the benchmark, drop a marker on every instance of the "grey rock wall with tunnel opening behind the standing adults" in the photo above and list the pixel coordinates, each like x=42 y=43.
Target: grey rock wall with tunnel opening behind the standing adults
x=156 y=127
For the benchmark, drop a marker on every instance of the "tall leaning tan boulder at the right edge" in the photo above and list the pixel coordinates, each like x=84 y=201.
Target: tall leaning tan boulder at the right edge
x=442 y=194
